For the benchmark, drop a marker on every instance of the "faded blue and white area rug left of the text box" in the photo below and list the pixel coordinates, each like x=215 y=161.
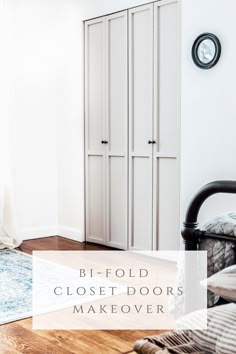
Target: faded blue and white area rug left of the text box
x=15 y=286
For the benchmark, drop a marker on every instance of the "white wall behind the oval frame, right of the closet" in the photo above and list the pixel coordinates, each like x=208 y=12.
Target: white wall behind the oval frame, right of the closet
x=208 y=143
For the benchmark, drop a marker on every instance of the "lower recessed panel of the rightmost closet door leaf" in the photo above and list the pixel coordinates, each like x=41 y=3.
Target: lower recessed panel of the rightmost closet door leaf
x=168 y=210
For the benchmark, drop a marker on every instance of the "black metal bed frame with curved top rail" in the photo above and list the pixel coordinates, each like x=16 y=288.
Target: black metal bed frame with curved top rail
x=190 y=231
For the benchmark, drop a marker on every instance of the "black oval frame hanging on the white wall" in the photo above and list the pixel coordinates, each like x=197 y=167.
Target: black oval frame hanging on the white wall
x=195 y=47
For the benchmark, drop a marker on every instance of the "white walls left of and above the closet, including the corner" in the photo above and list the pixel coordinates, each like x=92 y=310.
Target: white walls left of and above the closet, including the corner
x=44 y=59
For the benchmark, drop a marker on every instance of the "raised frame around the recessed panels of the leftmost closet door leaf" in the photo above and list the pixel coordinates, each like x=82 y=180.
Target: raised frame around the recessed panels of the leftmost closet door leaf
x=88 y=152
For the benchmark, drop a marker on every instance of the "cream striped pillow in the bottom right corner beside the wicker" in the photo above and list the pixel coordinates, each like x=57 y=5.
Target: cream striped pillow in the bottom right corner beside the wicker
x=219 y=338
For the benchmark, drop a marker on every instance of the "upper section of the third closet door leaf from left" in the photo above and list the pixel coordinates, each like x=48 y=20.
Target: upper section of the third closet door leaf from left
x=141 y=76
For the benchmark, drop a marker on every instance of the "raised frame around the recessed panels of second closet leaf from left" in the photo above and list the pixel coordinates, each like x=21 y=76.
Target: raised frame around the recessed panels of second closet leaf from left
x=112 y=154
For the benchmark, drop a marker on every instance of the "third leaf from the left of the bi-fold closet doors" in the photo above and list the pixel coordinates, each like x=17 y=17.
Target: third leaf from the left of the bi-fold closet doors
x=141 y=126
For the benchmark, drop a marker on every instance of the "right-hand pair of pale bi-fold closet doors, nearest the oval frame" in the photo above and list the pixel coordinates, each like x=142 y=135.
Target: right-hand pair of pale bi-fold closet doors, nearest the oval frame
x=153 y=126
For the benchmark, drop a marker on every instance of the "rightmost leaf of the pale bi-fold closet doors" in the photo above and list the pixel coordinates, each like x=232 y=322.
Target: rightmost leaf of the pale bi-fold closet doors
x=166 y=103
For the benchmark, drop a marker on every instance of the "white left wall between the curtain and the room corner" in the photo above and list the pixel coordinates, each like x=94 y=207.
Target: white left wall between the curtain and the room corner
x=36 y=103
